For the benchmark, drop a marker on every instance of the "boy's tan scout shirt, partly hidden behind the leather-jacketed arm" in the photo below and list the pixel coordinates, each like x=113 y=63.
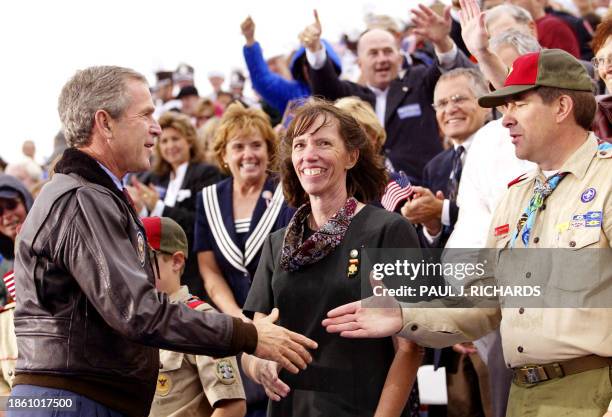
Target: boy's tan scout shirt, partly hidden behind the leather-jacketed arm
x=190 y=385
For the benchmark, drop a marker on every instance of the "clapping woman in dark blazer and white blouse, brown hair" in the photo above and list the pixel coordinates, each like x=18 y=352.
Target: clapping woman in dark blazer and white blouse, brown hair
x=176 y=177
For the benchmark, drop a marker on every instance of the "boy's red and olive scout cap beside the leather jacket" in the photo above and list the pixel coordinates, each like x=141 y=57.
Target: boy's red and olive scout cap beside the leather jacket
x=165 y=235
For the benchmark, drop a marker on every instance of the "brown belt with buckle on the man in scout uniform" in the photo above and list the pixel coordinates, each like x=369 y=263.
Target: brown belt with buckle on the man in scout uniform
x=534 y=374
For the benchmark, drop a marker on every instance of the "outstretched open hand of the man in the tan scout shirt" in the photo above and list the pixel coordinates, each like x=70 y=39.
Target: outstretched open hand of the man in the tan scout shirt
x=366 y=318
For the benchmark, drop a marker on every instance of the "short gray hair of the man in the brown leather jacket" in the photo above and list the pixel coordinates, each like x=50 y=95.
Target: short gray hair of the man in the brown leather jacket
x=90 y=90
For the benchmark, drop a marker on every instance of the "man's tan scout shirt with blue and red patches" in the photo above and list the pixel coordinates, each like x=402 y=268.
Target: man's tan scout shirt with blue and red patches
x=576 y=216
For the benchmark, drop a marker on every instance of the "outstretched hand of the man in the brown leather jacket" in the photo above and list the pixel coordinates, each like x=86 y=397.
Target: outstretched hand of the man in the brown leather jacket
x=280 y=345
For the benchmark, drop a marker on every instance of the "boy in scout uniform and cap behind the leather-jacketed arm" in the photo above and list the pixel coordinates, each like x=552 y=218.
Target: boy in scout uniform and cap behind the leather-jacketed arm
x=188 y=385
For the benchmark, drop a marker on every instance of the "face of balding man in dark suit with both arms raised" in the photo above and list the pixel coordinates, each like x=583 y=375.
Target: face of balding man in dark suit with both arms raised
x=379 y=58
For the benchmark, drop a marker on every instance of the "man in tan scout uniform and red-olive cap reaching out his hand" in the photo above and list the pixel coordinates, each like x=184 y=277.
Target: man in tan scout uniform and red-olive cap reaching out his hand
x=561 y=357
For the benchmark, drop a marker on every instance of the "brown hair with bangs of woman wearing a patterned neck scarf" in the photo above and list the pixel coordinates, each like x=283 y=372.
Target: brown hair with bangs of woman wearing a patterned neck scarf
x=366 y=181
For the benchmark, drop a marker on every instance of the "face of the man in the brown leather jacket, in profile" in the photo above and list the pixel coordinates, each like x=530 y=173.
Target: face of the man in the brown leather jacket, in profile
x=134 y=132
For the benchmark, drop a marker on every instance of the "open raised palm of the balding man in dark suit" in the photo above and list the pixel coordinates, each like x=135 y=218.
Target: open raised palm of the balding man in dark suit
x=433 y=27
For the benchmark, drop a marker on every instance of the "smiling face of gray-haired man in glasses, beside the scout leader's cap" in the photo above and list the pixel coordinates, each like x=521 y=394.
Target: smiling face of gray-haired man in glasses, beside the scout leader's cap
x=457 y=111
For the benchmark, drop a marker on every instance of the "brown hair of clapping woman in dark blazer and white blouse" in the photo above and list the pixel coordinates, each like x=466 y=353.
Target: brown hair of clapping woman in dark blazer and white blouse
x=182 y=124
